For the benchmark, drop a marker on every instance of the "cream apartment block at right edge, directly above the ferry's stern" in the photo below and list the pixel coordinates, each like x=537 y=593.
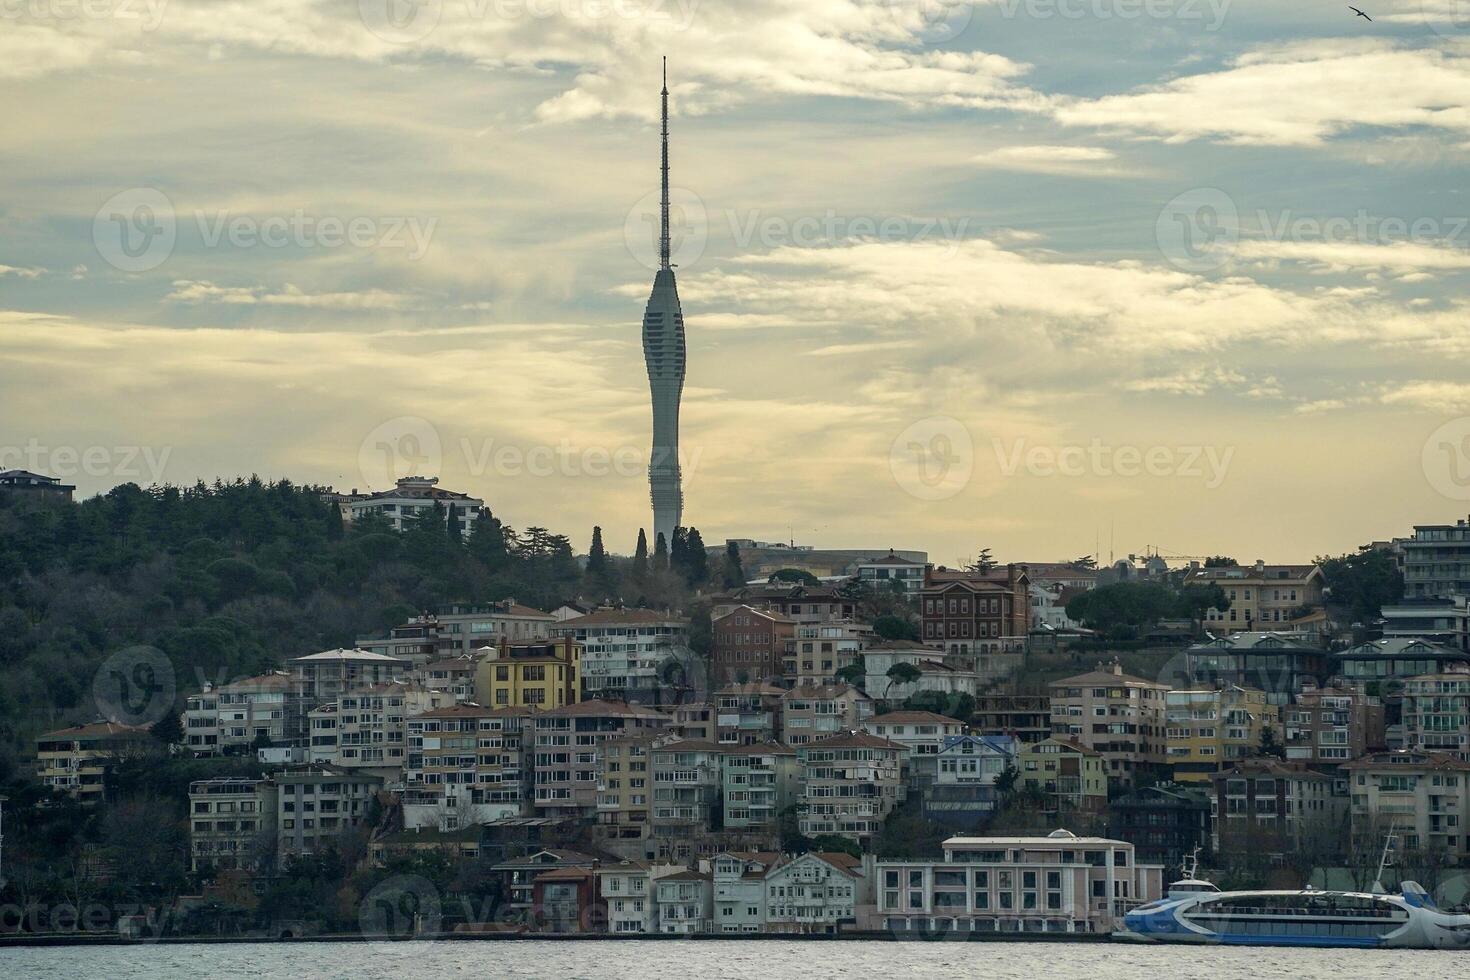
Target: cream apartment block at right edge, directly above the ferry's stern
x=1424 y=797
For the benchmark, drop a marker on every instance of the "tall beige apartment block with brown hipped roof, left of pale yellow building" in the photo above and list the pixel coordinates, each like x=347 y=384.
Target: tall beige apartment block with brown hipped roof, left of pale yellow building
x=1115 y=715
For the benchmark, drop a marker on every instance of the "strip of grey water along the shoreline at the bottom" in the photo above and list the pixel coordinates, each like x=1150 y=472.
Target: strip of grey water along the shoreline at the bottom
x=721 y=960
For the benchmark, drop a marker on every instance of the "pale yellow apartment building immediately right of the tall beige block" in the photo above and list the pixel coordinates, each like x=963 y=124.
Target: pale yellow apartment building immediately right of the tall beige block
x=1212 y=731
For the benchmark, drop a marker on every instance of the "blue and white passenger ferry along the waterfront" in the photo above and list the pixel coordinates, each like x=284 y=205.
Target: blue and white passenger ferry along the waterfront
x=1196 y=912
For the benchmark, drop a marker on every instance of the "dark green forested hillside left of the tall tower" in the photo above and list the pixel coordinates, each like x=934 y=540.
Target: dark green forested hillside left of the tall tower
x=229 y=581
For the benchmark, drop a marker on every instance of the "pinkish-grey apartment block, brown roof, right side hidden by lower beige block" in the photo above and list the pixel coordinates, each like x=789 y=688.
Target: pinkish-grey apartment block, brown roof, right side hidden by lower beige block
x=567 y=752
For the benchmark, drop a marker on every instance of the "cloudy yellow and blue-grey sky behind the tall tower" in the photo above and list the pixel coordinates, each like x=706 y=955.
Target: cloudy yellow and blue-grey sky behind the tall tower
x=1043 y=277
